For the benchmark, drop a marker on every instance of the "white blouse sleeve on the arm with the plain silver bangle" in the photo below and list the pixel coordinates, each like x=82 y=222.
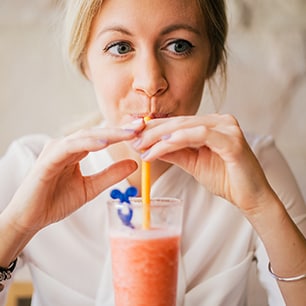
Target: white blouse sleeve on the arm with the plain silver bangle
x=284 y=184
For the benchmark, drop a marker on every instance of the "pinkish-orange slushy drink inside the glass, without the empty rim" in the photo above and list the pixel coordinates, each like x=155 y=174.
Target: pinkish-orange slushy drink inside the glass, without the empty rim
x=145 y=267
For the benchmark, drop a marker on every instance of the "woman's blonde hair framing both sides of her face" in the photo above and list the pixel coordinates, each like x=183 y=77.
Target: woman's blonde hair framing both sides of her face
x=80 y=15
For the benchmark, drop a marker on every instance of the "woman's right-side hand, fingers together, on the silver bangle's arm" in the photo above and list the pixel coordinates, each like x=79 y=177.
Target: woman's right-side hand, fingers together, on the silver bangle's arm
x=213 y=149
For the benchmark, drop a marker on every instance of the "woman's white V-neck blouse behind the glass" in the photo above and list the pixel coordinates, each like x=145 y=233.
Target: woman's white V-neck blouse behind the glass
x=70 y=261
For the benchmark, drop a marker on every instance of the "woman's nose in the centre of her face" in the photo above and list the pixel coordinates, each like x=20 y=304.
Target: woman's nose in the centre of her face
x=149 y=77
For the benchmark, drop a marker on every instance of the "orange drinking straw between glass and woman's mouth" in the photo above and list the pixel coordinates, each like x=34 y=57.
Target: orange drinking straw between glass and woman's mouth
x=145 y=190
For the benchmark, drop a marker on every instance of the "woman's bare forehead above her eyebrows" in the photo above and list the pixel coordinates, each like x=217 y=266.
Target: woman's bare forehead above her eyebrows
x=149 y=15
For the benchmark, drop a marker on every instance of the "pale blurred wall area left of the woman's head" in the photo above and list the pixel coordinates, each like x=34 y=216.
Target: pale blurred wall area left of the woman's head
x=38 y=92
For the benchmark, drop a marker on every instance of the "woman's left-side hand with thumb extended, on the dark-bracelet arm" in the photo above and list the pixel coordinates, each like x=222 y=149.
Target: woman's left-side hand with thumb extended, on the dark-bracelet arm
x=55 y=187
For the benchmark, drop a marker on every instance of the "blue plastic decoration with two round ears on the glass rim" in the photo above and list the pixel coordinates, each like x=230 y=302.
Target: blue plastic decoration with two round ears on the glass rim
x=125 y=203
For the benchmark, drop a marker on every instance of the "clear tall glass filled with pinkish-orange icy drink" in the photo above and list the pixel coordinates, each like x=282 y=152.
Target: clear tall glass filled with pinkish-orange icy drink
x=145 y=261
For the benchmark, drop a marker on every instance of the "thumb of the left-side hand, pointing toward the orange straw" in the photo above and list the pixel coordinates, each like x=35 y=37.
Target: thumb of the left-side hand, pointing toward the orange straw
x=96 y=183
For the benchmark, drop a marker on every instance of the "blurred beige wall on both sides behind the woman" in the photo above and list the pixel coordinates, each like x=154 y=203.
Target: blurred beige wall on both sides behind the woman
x=266 y=87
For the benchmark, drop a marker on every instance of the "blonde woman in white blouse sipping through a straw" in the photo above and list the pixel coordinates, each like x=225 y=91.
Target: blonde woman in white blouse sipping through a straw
x=152 y=58
